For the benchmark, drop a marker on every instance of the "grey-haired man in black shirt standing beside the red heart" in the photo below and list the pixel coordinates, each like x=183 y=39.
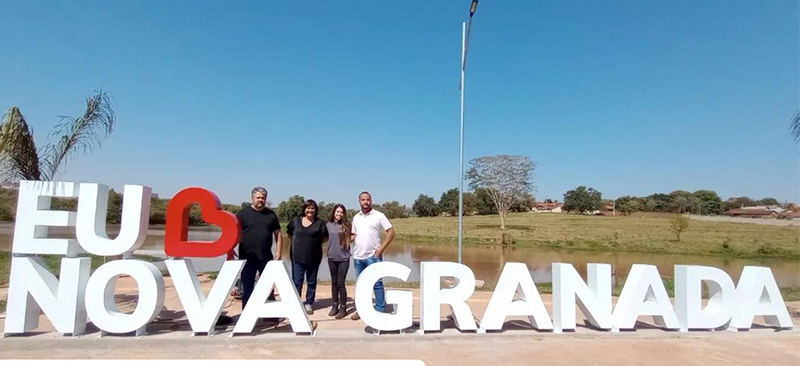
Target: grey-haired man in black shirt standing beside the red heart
x=260 y=226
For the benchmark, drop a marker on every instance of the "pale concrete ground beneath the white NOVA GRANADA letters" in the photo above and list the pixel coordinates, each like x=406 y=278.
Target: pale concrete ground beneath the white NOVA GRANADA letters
x=170 y=337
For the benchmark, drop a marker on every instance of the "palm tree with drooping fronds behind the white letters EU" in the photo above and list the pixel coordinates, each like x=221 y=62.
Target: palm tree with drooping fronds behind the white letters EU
x=19 y=157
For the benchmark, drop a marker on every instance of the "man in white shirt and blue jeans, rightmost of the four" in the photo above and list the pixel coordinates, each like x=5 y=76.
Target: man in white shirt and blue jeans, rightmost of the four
x=368 y=225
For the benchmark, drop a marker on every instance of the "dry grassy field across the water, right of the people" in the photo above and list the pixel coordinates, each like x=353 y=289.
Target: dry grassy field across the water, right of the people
x=636 y=233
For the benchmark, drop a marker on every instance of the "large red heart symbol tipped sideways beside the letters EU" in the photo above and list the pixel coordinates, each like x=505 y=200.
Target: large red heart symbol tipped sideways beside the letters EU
x=176 y=242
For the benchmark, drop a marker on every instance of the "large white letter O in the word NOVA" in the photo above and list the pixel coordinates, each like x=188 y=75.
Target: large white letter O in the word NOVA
x=101 y=307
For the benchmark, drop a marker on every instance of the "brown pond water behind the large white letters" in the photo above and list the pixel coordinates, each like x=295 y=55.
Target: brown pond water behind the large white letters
x=487 y=261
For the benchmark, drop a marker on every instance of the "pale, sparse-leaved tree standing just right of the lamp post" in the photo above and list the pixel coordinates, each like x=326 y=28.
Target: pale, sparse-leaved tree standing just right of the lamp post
x=506 y=178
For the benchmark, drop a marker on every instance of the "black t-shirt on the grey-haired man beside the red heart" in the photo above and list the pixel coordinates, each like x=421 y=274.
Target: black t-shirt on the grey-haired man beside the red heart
x=257 y=233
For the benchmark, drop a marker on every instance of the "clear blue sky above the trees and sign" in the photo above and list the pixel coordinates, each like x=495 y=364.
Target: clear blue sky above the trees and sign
x=326 y=99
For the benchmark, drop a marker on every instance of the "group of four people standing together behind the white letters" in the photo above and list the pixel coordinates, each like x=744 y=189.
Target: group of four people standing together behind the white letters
x=360 y=239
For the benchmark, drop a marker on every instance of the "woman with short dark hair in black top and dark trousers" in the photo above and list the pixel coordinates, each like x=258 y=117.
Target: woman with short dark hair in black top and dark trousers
x=306 y=235
